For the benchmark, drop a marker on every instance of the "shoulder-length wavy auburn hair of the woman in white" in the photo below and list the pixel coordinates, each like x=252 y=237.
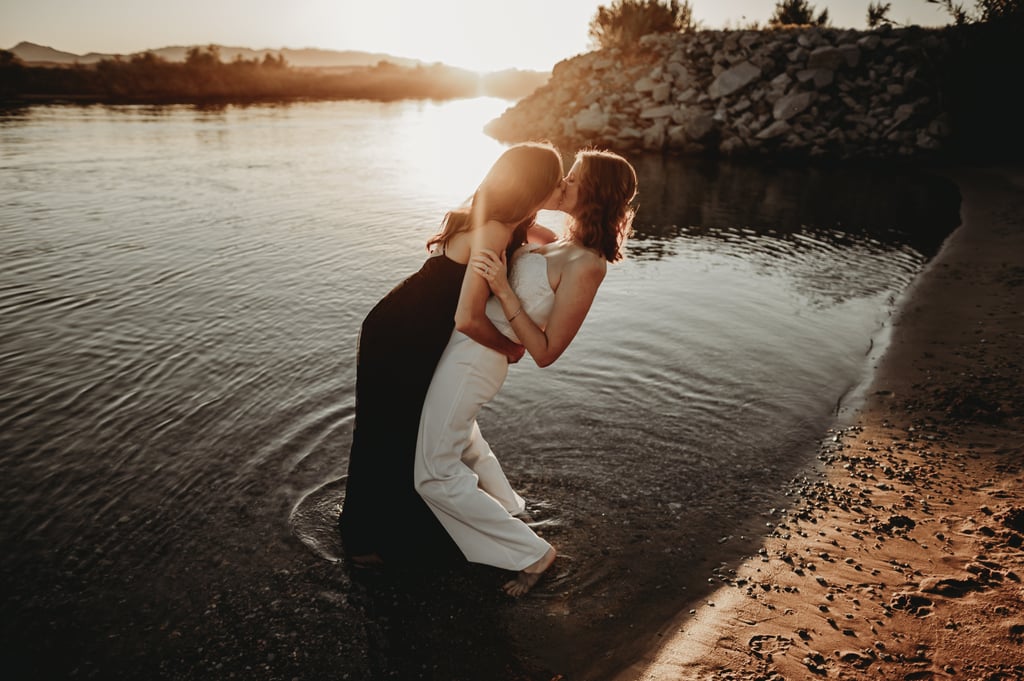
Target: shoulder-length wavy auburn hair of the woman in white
x=604 y=218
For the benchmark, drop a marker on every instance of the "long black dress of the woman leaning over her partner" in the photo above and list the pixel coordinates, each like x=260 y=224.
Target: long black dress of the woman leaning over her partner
x=401 y=343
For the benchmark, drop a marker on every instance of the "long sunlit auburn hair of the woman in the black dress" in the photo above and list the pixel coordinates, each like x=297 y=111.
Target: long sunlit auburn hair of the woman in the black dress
x=520 y=181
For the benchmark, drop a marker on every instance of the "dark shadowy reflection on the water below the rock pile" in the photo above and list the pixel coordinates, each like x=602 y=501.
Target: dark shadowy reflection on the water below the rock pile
x=849 y=204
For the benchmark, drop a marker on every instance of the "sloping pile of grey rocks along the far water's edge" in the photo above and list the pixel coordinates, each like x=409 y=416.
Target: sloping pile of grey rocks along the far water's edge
x=802 y=92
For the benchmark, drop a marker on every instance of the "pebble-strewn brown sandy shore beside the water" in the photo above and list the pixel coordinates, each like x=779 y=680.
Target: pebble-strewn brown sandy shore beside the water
x=902 y=555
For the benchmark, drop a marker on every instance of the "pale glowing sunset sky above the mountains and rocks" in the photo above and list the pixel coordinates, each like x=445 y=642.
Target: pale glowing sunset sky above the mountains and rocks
x=484 y=35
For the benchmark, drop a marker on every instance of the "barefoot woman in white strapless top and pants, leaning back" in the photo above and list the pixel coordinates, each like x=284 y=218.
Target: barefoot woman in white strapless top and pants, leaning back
x=541 y=305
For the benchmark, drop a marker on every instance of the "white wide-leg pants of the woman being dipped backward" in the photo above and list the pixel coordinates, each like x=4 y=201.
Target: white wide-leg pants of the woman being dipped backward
x=456 y=472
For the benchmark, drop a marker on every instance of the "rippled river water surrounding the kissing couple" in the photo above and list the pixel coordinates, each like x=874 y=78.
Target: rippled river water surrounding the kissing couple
x=181 y=293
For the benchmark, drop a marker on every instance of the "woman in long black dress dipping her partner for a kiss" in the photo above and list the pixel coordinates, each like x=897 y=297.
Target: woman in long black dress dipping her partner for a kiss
x=383 y=519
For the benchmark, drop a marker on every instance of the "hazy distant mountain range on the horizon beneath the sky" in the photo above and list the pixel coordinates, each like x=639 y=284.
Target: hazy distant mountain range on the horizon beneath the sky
x=34 y=55
